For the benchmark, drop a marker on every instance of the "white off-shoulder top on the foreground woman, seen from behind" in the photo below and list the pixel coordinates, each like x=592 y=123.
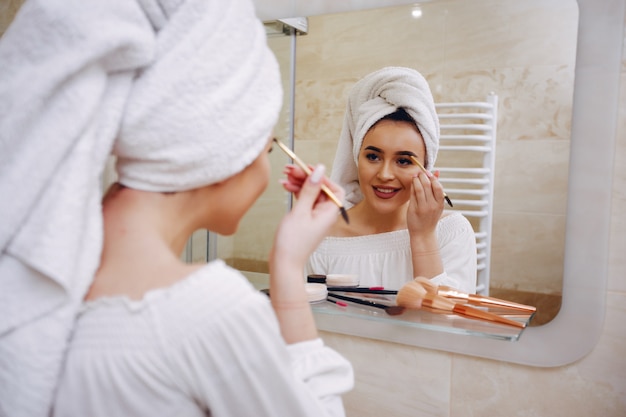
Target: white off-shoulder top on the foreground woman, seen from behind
x=209 y=345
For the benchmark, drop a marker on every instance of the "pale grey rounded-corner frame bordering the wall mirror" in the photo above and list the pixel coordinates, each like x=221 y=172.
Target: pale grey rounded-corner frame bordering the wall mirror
x=577 y=327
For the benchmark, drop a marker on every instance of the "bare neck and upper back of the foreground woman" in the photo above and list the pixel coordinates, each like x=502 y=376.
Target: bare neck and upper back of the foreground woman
x=142 y=245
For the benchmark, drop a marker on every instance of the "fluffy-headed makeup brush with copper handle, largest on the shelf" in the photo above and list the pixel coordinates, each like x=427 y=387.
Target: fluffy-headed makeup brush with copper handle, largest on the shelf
x=414 y=295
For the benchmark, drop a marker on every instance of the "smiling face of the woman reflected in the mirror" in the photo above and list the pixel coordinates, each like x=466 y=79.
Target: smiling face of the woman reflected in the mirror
x=385 y=168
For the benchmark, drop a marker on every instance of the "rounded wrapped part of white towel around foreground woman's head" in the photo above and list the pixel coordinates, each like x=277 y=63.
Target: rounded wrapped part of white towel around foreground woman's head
x=206 y=107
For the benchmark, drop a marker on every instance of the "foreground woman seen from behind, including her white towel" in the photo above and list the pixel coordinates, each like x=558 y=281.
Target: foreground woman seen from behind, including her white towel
x=104 y=319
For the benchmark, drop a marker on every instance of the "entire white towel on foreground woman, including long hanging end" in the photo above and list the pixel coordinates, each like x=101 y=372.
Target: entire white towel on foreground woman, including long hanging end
x=186 y=92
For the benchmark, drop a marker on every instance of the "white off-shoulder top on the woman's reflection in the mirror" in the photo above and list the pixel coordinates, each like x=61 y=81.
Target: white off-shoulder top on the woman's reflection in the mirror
x=384 y=259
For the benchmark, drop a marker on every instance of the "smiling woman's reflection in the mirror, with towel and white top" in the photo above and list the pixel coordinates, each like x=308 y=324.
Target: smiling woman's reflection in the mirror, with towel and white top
x=398 y=227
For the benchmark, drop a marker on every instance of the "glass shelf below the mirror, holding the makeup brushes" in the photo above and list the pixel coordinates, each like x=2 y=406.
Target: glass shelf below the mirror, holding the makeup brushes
x=429 y=319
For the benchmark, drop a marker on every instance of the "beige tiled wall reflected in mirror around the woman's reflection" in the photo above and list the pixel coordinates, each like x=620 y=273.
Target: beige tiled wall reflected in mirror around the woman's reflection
x=523 y=51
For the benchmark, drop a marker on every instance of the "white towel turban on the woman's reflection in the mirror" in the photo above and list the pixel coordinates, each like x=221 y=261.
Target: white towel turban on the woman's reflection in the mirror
x=373 y=97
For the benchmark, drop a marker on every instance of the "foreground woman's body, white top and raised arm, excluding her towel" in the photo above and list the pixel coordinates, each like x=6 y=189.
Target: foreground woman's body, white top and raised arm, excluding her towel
x=157 y=336
